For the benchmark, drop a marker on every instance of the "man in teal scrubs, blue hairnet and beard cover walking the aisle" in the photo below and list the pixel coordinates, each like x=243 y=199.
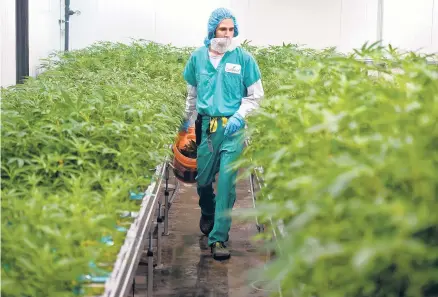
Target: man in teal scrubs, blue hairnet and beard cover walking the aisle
x=224 y=86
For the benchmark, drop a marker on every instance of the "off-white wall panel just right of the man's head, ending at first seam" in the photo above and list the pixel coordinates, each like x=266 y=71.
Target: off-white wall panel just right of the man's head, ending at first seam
x=314 y=23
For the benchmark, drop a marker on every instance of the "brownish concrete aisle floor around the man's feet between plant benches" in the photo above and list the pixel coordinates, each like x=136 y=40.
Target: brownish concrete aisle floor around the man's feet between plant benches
x=190 y=270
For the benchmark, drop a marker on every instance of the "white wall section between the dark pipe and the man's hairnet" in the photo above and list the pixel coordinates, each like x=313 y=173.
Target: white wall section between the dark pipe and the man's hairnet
x=166 y=21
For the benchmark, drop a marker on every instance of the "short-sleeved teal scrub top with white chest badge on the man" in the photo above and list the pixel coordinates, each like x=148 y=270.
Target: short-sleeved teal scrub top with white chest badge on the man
x=220 y=91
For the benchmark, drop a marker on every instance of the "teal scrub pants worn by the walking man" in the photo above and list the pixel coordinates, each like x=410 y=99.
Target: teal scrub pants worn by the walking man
x=214 y=158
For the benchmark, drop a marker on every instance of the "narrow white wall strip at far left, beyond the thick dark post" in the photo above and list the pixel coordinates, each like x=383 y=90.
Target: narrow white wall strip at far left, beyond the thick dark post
x=7 y=43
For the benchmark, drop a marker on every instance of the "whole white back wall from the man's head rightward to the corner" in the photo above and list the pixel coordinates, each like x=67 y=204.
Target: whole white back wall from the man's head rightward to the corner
x=345 y=24
